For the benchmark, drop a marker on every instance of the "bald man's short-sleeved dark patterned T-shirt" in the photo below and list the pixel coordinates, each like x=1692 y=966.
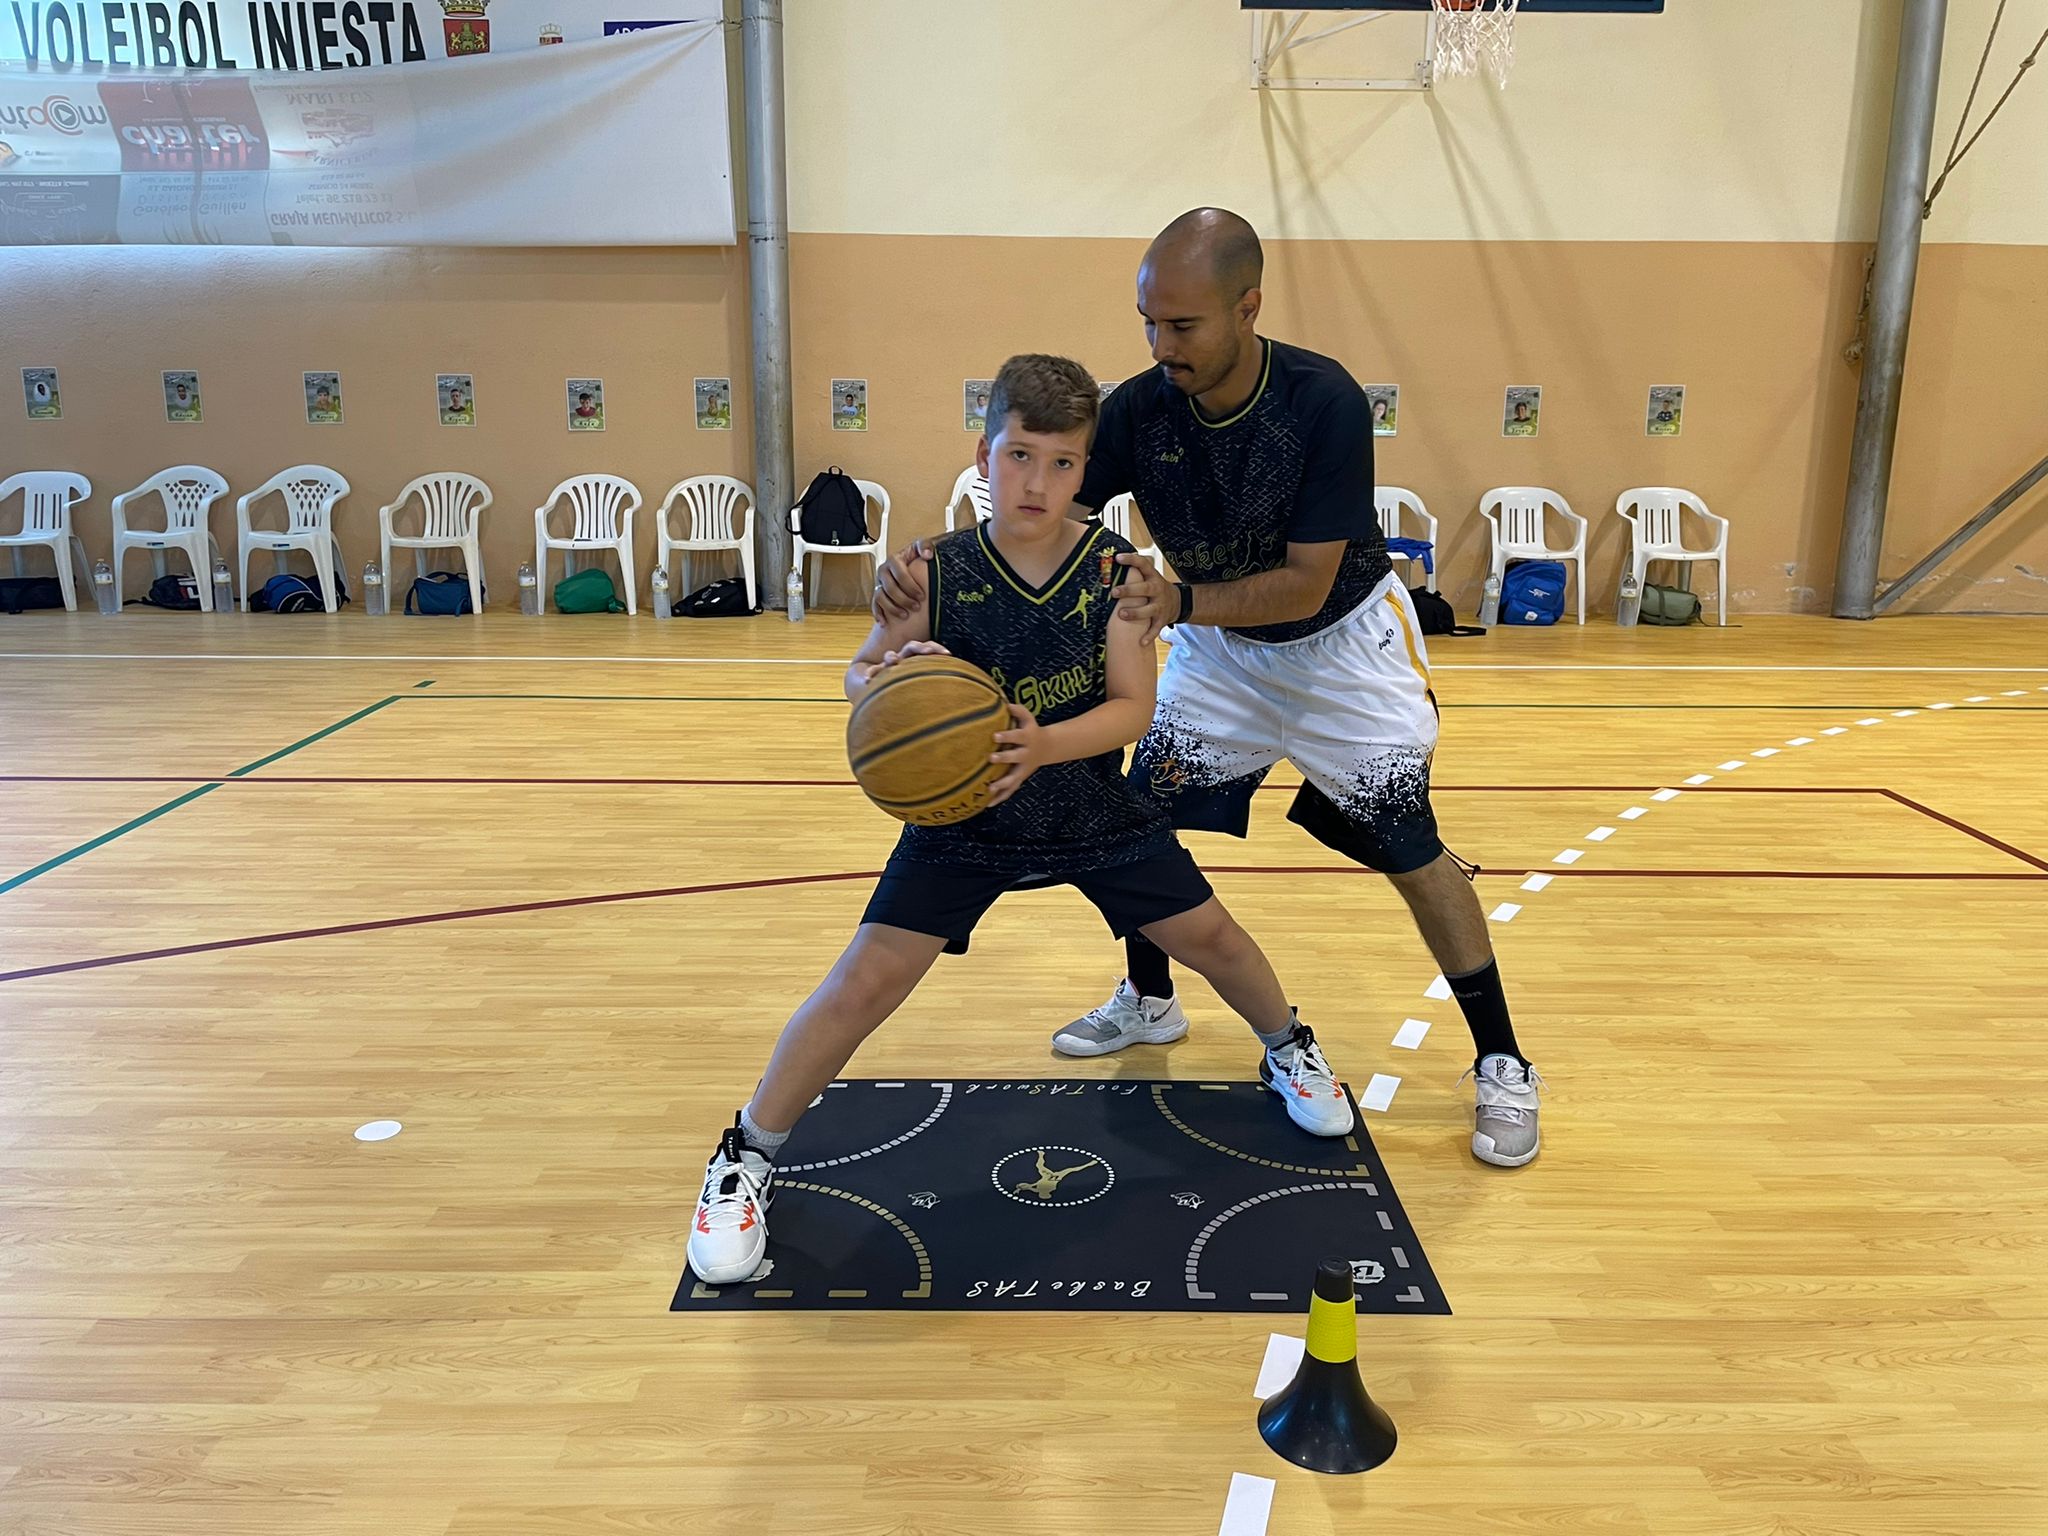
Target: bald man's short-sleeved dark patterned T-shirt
x=1226 y=499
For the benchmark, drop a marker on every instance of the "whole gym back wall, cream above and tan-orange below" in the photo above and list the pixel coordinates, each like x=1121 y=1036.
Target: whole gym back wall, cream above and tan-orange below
x=1652 y=202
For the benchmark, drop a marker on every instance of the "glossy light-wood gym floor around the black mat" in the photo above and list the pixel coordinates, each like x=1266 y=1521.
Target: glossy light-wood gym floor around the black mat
x=544 y=892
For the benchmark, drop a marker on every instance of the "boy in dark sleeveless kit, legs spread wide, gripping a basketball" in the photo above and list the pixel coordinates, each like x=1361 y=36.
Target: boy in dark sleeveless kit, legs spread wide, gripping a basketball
x=1027 y=597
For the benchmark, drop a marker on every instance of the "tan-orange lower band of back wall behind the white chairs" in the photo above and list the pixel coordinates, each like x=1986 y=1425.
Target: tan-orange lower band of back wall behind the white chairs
x=1754 y=331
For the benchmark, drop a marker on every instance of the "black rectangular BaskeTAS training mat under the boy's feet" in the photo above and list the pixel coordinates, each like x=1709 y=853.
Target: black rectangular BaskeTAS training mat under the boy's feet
x=1140 y=1197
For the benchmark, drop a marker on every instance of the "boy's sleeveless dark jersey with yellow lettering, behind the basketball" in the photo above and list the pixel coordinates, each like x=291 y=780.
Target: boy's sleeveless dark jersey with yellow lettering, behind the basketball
x=1048 y=652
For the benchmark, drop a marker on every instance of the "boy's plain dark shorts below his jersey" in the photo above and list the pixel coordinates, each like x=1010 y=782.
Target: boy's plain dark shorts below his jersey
x=947 y=900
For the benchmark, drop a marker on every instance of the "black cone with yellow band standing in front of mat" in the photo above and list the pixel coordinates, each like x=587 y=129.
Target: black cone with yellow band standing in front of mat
x=1324 y=1420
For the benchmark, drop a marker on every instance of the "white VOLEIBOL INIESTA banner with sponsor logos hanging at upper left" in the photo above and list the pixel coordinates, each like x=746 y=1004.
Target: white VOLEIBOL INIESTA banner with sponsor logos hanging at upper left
x=605 y=142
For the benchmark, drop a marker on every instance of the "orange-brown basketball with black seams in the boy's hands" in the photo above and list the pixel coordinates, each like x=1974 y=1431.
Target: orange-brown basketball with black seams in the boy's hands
x=921 y=740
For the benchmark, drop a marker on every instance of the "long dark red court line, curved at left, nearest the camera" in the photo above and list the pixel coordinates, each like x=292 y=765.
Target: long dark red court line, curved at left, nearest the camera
x=515 y=908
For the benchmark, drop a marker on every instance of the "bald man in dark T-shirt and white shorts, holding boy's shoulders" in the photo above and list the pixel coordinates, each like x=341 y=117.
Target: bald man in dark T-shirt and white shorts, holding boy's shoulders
x=1252 y=464
